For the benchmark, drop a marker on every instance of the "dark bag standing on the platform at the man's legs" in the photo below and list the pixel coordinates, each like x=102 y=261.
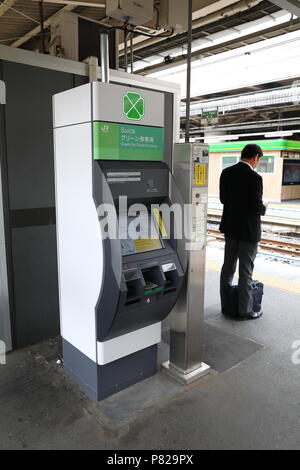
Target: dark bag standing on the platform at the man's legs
x=231 y=301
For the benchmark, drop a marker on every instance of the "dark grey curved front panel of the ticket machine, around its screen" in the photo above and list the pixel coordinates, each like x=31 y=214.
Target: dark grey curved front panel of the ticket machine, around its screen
x=139 y=288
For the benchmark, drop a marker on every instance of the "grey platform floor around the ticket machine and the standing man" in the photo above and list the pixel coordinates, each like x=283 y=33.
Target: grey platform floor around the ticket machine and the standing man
x=249 y=400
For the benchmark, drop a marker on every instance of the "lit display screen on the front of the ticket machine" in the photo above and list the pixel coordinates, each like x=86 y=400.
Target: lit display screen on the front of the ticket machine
x=138 y=234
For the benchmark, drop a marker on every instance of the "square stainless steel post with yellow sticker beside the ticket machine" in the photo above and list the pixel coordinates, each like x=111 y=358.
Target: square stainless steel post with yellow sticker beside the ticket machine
x=190 y=171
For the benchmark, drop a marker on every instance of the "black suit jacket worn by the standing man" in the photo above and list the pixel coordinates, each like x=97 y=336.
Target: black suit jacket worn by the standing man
x=241 y=191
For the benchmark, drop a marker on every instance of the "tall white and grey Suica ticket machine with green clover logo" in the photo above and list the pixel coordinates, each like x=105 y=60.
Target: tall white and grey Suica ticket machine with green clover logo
x=113 y=153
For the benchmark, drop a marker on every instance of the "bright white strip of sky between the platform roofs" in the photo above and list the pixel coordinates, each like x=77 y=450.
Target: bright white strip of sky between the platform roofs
x=272 y=60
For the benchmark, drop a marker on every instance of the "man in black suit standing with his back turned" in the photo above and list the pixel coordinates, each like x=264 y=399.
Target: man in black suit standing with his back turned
x=241 y=191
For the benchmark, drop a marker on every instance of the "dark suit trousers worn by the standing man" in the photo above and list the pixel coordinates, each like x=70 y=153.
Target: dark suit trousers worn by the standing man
x=245 y=253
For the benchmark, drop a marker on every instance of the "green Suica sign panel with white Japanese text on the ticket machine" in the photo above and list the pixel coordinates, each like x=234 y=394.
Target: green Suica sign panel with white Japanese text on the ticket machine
x=113 y=141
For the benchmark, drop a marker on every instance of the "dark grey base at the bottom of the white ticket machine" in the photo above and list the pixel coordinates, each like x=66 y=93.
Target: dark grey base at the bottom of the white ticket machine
x=100 y=382
